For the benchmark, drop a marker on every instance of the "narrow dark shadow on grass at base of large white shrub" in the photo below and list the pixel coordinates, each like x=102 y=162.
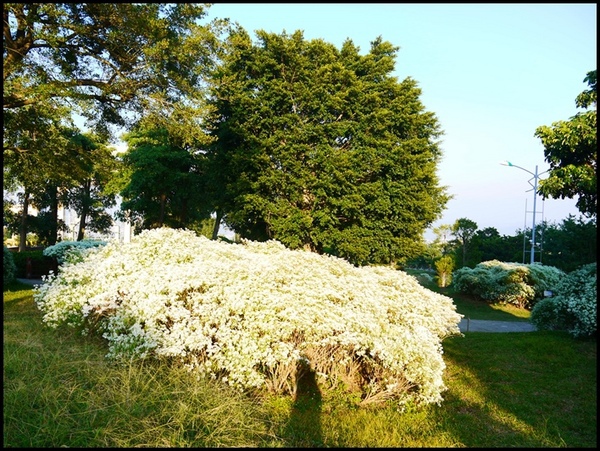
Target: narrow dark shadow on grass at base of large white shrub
x=303 y=428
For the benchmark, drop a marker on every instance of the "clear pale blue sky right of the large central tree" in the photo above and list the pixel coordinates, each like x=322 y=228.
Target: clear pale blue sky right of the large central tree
x=492 y=73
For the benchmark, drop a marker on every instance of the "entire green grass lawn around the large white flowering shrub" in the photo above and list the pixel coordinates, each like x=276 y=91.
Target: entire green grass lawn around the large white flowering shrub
x=531 y=389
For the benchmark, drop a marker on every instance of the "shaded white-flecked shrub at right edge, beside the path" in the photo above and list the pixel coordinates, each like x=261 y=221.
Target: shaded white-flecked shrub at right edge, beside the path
x=573 y=307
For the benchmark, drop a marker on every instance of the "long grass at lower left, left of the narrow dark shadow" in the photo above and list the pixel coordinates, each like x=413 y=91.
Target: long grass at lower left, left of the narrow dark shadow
x=59 y=390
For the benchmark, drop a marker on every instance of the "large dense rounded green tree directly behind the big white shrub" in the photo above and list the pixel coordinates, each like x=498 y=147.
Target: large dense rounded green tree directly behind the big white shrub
x=324 y=149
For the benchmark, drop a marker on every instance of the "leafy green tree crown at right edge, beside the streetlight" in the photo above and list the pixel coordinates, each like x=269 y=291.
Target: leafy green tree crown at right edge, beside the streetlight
x=571 y=149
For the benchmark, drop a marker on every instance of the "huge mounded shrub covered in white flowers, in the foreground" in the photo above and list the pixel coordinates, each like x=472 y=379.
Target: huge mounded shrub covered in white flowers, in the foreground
x=257 y=314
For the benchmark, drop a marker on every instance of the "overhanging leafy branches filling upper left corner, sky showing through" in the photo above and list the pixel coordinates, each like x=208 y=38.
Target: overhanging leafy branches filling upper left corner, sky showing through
x=110 y=61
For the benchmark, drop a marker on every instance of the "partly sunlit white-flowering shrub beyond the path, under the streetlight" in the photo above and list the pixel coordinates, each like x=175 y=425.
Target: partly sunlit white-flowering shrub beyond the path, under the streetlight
x=518 y=284
